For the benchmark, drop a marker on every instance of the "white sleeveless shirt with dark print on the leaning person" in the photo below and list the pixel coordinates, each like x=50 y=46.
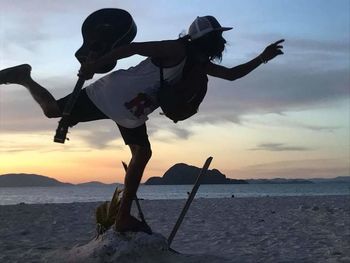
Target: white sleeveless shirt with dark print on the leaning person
x=128 y=96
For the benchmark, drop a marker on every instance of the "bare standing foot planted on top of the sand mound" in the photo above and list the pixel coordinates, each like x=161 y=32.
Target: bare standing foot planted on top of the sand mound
x=131 y=224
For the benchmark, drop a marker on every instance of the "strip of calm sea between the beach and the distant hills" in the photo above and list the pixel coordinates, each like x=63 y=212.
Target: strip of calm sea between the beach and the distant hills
x=32 y=195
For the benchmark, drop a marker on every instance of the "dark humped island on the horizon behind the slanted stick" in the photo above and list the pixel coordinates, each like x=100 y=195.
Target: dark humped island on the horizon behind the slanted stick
x=181 y=174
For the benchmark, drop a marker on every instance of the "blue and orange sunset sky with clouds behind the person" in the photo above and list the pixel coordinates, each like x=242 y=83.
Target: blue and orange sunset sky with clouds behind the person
x=288 y=118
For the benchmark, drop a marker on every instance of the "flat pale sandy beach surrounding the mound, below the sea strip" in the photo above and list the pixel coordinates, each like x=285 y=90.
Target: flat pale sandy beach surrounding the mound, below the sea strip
x=268 y=229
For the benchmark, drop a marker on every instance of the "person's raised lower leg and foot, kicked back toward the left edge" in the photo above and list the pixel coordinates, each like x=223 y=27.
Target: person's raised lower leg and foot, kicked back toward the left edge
x=21 y=75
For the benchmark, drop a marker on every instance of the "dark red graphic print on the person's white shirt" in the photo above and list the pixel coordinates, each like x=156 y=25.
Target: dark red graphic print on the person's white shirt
x=140 y=105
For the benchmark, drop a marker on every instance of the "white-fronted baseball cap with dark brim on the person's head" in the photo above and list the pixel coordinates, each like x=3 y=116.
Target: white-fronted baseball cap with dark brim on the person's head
x=203 y=25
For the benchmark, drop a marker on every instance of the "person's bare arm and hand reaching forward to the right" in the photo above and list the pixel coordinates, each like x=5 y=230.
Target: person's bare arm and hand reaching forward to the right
x=240 y=71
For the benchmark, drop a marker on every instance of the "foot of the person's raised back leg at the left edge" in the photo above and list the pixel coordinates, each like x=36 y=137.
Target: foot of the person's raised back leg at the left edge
x=15 y=75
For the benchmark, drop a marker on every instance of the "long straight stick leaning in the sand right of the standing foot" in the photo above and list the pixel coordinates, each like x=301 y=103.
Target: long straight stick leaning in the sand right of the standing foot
x=190 y=199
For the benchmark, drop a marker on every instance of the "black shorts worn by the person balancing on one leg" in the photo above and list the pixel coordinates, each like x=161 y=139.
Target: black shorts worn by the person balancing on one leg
x=85 y=110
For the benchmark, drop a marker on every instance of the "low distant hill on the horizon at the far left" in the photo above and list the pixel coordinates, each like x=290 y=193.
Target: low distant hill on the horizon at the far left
x=23 y=180
